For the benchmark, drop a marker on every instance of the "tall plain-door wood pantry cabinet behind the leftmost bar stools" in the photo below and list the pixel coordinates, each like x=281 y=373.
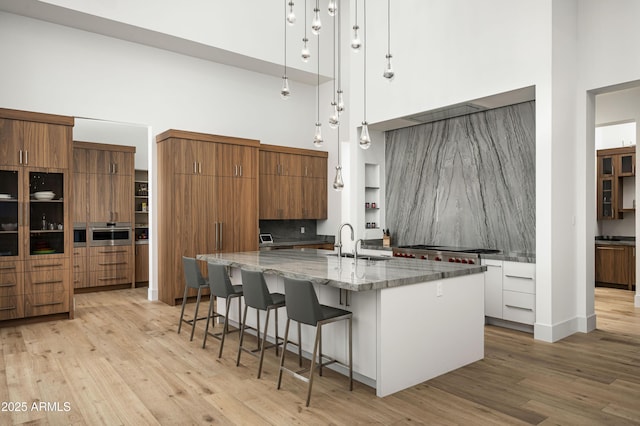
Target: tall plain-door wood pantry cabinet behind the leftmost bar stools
x=207 y=201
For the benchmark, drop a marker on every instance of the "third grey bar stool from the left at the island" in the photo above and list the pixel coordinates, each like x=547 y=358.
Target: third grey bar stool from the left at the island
x=257 y=296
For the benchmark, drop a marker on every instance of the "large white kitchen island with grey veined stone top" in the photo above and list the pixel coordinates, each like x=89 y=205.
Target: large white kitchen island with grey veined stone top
x=412 y=320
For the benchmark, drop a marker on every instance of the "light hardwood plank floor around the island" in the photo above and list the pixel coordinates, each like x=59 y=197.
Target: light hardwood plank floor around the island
x=120 y=361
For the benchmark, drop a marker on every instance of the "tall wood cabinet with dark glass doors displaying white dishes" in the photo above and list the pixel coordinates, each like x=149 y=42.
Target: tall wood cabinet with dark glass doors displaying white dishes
x=35 y=216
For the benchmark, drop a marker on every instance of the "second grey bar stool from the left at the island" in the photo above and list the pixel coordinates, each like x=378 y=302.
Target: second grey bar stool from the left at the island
x=220 y=286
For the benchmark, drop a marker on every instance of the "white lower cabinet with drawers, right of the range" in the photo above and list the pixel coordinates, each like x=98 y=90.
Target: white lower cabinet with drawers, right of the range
x=510 y=291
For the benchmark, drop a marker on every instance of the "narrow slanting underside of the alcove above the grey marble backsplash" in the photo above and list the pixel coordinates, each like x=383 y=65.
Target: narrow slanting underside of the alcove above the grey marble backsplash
x=511 y=97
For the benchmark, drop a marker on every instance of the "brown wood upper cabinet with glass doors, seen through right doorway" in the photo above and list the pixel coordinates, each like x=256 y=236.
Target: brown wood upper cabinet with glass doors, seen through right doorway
x=613 y=165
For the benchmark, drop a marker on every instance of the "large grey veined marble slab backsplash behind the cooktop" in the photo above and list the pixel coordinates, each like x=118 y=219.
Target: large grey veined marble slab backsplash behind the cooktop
x=467 y=181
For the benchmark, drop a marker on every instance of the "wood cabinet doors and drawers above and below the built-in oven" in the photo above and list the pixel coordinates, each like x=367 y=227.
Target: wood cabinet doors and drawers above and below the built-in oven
x=103 y=192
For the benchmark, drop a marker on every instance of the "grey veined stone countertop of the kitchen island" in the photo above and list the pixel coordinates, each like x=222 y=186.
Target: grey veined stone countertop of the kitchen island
x=318 y=266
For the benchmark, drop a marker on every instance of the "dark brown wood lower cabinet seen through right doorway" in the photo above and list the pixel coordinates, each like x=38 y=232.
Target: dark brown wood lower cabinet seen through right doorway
x=615 y=264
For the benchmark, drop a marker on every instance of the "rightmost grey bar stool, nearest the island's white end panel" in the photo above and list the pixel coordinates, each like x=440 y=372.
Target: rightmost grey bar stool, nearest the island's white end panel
x=303 y=307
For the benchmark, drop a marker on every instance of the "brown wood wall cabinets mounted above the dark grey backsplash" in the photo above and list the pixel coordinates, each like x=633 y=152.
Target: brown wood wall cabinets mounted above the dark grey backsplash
x=293 y=183
